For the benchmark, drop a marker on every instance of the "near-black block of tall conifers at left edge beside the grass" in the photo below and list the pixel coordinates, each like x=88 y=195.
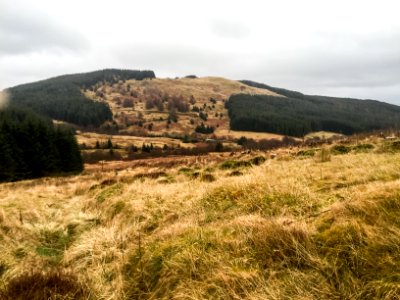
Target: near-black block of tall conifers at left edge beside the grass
x=31 y=146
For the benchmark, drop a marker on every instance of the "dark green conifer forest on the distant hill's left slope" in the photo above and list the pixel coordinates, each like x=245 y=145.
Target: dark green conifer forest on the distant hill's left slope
x=62 y=98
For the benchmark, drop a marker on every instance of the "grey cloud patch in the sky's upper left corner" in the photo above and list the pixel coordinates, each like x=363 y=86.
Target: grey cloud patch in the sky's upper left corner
x=24 y=32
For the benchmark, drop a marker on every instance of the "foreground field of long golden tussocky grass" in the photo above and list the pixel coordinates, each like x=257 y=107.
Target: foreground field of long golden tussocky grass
x=309 y=224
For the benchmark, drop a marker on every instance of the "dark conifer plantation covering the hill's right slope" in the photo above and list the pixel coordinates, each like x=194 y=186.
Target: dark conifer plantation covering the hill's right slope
x=298 y=114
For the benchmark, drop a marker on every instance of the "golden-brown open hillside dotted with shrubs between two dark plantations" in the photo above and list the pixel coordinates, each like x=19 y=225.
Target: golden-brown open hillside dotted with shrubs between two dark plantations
x=170 y=106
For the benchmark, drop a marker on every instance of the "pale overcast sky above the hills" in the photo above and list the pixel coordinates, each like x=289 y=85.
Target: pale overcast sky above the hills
x=339 y=48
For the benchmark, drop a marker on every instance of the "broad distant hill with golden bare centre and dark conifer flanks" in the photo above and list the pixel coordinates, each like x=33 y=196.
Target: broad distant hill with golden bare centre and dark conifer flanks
x=127 y=102
